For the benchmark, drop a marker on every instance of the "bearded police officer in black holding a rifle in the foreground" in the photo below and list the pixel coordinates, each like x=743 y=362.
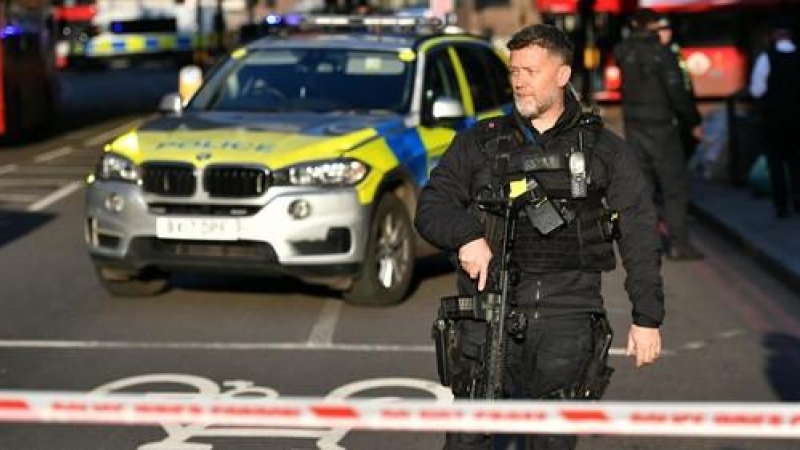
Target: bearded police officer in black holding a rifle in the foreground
x=559 y=273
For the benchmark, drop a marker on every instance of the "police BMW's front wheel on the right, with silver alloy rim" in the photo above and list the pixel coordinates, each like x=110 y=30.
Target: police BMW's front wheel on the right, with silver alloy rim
x=389 y=261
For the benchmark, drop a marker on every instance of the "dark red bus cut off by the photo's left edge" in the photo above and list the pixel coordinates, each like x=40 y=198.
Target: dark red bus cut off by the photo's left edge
x=28 y=81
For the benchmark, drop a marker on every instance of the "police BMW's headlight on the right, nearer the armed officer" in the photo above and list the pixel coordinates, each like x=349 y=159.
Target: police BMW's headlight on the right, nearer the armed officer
x=340 y=172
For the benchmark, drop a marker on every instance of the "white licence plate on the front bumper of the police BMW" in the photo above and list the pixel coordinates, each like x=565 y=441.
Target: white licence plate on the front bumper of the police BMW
x=197 y=229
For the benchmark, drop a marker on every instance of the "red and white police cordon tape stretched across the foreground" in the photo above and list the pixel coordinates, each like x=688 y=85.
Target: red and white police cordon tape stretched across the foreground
x=753 y=420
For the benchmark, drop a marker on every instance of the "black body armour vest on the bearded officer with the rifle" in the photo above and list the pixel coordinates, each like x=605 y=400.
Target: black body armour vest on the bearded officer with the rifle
x=583 y=242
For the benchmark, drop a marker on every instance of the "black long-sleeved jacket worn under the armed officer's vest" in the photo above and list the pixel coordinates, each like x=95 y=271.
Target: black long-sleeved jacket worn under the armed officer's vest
x=443 y=218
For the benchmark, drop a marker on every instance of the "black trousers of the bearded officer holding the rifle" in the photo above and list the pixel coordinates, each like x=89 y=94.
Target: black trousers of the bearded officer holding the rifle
x=552 y=356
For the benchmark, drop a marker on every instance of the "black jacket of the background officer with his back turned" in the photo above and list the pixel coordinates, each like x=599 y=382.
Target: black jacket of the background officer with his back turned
x=653 y=88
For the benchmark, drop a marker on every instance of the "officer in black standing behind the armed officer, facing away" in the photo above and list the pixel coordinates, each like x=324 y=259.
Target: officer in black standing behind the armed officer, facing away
x=655 y=106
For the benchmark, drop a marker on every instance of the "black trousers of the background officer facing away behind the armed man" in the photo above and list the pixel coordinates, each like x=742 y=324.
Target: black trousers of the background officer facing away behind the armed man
x=660 y=151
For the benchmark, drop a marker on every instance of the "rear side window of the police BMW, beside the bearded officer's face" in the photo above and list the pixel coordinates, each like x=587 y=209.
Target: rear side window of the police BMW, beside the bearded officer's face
x=487 y=76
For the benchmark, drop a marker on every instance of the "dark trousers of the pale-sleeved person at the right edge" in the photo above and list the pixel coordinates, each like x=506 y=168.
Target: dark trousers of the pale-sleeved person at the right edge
x=783 y=163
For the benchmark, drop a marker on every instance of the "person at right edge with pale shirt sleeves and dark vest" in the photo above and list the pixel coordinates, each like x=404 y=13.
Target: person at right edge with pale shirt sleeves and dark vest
x=775 y=80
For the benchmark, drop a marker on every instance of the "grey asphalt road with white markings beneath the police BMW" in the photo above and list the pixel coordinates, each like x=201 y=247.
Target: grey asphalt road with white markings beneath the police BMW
x=732 y=333
